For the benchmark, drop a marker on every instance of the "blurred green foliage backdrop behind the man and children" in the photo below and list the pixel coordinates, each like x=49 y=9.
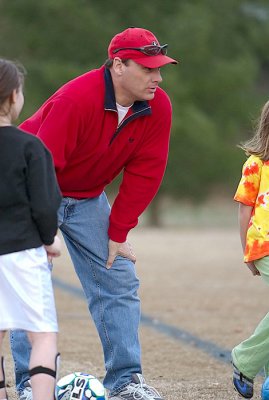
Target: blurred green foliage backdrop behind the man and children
x=217 y=90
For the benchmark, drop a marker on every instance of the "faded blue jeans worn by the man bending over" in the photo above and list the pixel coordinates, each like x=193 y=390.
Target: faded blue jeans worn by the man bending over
x=111 y=294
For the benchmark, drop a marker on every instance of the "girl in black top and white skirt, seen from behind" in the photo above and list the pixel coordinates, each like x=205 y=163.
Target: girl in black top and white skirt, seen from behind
x=29 y=200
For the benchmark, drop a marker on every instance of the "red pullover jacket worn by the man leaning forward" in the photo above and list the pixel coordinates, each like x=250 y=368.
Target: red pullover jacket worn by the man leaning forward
x=79 y=125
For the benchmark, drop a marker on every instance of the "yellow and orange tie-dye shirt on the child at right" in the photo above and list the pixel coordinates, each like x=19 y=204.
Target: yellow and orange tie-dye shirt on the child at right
x=253 y=190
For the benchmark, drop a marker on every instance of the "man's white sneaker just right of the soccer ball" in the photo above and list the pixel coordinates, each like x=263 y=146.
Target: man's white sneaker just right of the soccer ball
x=137 y=390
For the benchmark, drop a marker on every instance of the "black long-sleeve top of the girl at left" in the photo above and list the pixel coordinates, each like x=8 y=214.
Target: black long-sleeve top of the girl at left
x=29 y=193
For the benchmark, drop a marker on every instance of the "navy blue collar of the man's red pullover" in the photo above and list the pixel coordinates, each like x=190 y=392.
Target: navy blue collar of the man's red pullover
x=110 y=100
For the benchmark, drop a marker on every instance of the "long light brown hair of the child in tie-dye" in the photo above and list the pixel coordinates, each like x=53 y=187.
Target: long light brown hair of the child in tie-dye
x=258 y=145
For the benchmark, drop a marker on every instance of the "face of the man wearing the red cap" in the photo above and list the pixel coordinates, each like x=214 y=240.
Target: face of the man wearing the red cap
x=138 y=82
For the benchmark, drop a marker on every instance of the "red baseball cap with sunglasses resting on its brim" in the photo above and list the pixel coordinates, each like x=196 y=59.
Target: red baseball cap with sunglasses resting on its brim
x=141 y=46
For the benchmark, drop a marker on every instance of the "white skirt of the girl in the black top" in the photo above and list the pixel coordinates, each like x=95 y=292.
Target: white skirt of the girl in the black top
x=26 y=293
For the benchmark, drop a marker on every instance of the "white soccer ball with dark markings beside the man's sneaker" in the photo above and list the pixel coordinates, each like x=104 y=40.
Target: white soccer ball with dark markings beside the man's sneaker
x=79 y=386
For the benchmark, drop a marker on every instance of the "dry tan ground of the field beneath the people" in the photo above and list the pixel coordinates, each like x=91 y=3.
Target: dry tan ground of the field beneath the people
x=192 y=280
